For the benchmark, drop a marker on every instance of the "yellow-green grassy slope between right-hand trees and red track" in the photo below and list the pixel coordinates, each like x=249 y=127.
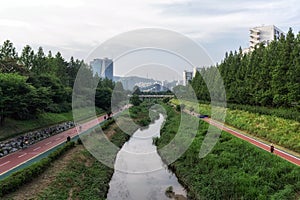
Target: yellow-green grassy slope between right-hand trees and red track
x=274 y=129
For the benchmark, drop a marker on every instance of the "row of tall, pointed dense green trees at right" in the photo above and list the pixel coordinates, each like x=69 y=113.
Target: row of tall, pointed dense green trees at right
x=268 y=76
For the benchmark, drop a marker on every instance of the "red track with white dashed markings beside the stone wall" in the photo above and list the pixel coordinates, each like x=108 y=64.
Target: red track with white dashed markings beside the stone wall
x=17 y=158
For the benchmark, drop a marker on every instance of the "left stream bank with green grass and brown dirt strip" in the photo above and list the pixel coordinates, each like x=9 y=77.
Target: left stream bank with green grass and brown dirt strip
x=80 y=176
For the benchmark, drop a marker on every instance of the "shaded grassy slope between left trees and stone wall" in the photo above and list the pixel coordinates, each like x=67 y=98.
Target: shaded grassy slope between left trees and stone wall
x=12 y=127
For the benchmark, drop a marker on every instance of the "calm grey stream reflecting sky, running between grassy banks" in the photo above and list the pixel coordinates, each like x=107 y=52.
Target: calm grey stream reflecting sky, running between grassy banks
x=141 y=173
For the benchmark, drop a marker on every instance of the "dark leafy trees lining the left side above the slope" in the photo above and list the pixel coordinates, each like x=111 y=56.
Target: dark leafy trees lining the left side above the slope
x=34 y=82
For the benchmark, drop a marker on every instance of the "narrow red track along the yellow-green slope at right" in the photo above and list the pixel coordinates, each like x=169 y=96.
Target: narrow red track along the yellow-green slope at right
x=282 y=154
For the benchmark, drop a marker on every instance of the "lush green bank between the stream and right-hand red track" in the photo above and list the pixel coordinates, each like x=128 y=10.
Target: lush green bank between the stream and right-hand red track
x=234 y=169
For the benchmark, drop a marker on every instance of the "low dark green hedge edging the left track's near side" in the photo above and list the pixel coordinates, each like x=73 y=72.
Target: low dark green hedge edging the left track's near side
x=17 y=179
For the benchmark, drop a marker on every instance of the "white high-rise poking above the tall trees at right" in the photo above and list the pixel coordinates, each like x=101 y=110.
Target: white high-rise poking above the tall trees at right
x=262 y=34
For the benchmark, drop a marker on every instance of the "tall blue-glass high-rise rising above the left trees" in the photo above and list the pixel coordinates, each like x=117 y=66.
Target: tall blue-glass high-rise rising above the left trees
x=103 y=67
